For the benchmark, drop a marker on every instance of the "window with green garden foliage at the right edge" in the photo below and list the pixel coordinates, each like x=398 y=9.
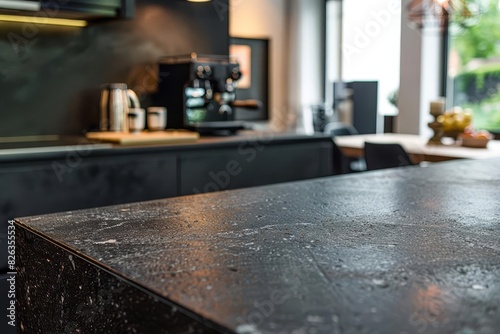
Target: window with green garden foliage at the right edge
x=474 y=65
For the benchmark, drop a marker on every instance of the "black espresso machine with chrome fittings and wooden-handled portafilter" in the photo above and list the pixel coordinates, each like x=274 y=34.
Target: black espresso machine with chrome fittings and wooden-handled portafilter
x=199 y=93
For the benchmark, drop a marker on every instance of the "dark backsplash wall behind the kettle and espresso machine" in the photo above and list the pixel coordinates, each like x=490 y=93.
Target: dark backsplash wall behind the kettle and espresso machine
x=50 y=77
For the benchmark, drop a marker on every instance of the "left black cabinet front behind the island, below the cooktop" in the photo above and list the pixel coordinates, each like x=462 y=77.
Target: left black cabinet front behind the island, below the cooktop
x=40 y=187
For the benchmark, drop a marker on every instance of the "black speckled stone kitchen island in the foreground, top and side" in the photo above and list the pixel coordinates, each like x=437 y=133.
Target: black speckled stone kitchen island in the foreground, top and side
x=410 y=250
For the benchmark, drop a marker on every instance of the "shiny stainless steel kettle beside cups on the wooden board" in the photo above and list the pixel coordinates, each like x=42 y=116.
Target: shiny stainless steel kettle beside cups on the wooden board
x=115 y=102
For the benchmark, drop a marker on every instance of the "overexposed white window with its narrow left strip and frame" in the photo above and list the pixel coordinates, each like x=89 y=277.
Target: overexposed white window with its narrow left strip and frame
x=363 y=44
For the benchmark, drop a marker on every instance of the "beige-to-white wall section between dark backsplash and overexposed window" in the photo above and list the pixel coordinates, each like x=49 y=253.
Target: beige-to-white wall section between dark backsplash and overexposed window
x=294 y=28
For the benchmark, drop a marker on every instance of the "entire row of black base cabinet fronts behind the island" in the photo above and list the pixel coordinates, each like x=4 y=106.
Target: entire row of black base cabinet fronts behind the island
x=63 y=181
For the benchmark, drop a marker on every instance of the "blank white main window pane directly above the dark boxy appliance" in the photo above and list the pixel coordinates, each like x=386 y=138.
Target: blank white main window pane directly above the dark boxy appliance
x=371 y=46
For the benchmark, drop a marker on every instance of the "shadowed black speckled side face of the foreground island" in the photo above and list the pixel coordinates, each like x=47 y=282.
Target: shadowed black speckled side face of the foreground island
x=71 y=295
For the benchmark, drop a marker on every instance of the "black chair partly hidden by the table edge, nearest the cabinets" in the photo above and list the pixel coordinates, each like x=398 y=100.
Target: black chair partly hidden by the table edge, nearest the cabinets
x=341 y=163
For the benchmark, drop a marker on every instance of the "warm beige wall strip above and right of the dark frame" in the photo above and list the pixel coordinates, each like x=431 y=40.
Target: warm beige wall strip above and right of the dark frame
x=266 y=19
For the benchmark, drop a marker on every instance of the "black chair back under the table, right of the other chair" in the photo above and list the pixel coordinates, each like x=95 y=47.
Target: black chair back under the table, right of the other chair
x=385 y=155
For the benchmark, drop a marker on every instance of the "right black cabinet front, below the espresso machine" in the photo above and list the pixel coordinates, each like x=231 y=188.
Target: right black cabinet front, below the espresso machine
x=252 y=164
